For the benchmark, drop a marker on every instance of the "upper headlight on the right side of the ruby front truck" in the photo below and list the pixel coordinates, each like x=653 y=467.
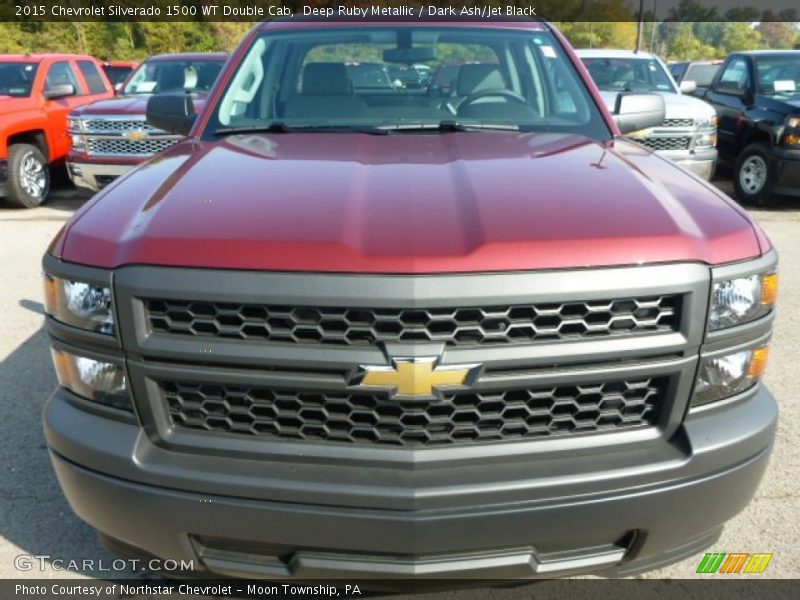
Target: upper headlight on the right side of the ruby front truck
x=740 y=300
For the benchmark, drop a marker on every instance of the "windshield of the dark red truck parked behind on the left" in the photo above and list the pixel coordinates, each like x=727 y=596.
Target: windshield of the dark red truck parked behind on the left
x=157 y=76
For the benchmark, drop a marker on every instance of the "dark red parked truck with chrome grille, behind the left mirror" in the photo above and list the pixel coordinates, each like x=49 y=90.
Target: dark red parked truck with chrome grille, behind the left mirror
x=111 y=137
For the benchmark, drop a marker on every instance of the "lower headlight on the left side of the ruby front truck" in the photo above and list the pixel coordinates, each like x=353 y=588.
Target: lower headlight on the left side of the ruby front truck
x=96 y=380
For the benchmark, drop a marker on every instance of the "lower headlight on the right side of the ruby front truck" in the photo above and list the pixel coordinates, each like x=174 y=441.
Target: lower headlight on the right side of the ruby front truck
x=723 y=376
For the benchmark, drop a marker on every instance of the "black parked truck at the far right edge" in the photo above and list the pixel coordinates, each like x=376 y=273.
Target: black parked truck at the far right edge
x=757 y=99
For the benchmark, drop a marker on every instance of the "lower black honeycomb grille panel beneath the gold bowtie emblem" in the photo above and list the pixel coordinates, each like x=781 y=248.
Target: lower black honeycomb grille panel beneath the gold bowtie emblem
x=458 y=418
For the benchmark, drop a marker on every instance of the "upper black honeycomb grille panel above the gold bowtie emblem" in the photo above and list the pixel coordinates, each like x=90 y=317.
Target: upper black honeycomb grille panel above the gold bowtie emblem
x=454 y=326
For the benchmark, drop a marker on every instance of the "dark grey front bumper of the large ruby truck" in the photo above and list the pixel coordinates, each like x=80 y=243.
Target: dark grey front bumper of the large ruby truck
x=617 y=511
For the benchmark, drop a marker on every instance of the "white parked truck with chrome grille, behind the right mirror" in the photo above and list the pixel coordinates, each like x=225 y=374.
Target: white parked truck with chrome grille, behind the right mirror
x=688 y=135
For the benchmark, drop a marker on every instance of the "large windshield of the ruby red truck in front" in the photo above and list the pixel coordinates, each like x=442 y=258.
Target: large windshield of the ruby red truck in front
x=406 y=78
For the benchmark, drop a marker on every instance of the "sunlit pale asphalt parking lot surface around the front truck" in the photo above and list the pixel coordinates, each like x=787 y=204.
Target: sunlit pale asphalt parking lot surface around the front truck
x=34 y=518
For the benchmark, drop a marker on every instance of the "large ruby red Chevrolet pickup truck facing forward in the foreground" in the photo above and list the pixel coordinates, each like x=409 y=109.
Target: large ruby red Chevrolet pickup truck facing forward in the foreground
x=394 y=333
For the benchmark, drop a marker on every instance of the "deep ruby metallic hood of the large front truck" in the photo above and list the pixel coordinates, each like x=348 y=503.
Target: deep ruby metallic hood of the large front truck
x=406 y=203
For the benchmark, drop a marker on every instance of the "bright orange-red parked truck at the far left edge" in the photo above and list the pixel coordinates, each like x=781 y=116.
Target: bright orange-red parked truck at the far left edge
x=37 y=91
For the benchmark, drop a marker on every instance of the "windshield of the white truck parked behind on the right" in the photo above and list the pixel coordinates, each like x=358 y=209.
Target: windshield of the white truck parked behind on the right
x=628 y=74
